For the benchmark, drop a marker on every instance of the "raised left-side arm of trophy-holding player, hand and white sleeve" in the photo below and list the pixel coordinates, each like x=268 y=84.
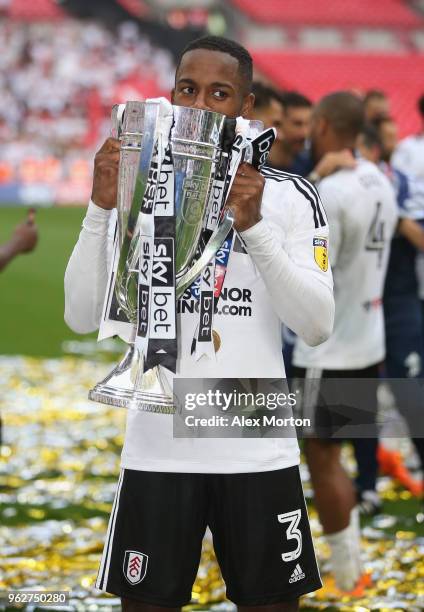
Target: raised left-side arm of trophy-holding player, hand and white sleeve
x=86 y=275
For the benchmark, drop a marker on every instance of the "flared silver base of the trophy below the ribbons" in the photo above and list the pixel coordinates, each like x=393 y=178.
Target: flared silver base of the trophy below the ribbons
x=126 y=387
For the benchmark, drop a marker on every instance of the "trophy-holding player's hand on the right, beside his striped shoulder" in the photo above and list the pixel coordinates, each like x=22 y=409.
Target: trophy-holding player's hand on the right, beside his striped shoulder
x=246 y=196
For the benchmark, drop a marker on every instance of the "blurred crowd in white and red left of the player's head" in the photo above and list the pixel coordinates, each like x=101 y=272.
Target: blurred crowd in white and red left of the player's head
x=58 y=82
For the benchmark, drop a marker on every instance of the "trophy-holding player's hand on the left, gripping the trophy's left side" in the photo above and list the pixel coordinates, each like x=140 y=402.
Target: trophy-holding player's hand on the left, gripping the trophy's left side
x=105 y=179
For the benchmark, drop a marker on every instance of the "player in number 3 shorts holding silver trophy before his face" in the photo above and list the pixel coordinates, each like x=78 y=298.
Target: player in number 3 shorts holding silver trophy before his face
x=247 y=491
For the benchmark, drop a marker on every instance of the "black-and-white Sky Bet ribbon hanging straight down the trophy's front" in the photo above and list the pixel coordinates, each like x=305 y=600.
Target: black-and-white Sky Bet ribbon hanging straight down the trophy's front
x=156 y=327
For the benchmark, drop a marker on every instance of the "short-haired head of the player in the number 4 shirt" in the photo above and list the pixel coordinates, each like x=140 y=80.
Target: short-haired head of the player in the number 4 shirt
x=344 y=112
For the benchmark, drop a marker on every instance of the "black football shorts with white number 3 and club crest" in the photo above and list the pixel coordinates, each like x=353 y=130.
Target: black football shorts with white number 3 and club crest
x=260 y=529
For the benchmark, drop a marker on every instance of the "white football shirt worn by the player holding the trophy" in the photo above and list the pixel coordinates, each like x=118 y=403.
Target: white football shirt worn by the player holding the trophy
x=275 y=278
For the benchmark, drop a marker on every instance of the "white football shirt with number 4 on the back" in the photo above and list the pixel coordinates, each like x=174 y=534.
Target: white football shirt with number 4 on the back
x=362 y=214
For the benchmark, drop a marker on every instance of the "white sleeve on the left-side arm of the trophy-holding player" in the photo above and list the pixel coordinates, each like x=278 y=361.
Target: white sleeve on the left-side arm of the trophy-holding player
x=86 y=274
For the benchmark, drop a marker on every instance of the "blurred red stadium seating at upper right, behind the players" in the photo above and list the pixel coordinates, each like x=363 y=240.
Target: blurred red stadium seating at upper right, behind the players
x=318 y=47
